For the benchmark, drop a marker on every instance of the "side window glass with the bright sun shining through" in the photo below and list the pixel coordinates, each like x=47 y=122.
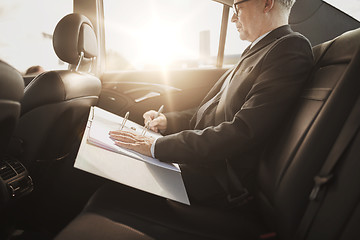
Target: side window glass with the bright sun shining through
x=153 y=34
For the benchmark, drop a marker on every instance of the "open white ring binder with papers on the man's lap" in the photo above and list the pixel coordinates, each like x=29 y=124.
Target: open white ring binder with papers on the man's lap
x=100 y=156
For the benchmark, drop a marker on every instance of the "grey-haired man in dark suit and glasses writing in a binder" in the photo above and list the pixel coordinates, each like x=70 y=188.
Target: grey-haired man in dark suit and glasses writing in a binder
x=226 y=133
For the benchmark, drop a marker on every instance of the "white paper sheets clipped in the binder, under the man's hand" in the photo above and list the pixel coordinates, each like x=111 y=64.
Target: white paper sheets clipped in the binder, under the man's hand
x=103 y=121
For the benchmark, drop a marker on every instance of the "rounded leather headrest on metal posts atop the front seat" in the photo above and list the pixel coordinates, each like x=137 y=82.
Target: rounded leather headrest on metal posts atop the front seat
x=72 y=35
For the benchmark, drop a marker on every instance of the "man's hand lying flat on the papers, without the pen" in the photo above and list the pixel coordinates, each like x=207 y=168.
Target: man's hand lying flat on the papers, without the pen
x=132 y=141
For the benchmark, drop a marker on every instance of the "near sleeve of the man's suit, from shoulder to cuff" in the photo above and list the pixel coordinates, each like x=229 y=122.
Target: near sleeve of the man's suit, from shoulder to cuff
x=283 y=72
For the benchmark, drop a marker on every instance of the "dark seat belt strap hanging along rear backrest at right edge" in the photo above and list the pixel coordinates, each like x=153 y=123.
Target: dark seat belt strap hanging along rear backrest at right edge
x=348 y=132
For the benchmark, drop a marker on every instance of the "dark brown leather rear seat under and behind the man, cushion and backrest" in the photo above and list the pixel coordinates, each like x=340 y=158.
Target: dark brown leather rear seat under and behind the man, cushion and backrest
x=285 y=174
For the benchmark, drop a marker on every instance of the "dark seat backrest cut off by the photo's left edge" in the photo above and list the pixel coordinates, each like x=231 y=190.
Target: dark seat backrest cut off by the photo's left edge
x=11 y=92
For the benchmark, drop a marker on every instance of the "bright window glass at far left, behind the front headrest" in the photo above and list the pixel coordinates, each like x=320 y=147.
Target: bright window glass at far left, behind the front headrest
x=26 y=29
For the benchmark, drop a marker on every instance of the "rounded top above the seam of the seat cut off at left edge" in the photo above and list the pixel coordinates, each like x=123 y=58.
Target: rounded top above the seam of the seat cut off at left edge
x=11 y=83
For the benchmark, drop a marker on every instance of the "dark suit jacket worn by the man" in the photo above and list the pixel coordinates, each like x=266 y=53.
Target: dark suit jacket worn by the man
x=265 y=84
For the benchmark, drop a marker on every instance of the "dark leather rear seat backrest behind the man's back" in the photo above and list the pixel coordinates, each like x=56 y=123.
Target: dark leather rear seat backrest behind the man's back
x=287 y=168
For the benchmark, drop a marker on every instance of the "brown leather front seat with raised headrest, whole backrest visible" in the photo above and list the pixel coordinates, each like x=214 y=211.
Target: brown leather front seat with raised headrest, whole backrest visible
x=56 y=103
